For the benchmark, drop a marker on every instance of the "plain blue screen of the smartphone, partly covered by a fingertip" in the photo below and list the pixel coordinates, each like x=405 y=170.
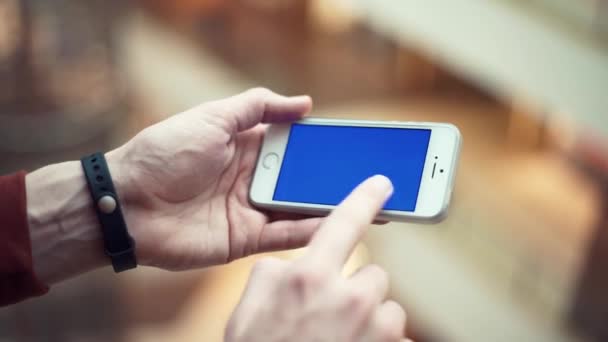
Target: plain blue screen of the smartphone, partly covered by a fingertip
x=322 y=164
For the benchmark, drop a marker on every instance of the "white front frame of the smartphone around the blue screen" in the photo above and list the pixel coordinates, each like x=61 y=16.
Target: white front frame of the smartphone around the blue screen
x=435 y=191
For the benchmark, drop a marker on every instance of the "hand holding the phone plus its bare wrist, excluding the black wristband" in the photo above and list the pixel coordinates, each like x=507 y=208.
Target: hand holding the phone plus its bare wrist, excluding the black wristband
x=183 y=185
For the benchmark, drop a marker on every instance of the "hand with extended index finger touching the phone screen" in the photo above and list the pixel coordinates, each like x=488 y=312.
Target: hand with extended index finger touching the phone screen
x=309 y=300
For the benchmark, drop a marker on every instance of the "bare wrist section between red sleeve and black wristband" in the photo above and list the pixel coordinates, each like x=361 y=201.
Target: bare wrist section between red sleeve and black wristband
x=65 y=233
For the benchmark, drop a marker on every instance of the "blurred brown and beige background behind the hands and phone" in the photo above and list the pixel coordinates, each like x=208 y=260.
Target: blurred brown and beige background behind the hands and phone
x=523 y=253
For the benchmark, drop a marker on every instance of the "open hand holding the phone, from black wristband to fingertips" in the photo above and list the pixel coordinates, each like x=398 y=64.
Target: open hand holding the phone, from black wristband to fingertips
x=184 y=184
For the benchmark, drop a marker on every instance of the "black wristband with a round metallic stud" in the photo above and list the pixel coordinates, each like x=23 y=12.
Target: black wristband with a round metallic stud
x=119 y=245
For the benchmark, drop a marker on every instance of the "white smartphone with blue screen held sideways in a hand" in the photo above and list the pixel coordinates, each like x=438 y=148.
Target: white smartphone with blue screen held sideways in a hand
x=311 y=165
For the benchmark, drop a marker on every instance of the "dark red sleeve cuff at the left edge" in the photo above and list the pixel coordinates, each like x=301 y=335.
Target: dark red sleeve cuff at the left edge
x=17 y=278
